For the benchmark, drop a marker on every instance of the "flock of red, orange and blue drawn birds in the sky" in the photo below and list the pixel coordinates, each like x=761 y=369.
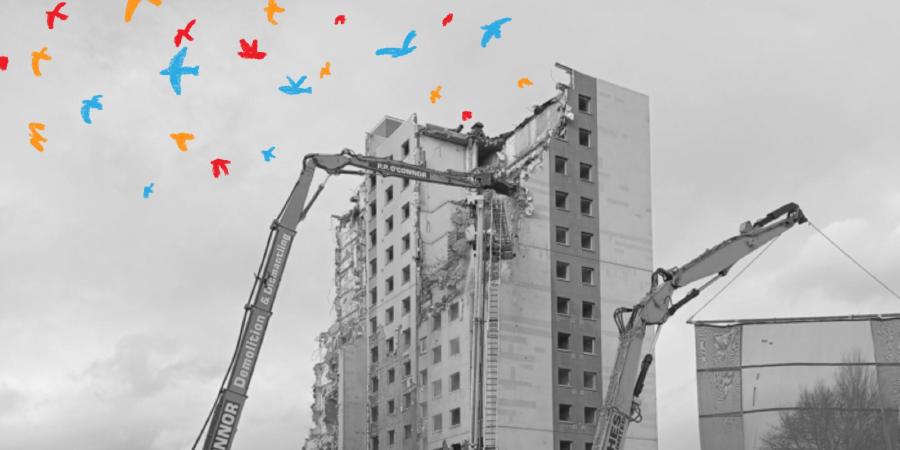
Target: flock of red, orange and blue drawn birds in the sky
x=249 y=50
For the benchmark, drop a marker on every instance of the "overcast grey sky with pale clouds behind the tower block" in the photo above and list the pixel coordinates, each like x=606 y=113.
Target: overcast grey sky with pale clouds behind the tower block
x=120 y=313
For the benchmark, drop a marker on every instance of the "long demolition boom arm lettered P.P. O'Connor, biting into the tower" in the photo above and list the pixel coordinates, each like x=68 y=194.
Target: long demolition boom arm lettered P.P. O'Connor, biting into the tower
x=229 y=404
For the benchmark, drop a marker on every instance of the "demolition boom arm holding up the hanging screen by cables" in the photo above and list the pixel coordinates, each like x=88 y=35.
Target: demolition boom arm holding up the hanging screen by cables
x=621 y=404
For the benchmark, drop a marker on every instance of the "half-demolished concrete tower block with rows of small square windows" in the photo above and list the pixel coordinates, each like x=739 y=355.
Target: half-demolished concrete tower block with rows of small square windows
x=468 y=348
